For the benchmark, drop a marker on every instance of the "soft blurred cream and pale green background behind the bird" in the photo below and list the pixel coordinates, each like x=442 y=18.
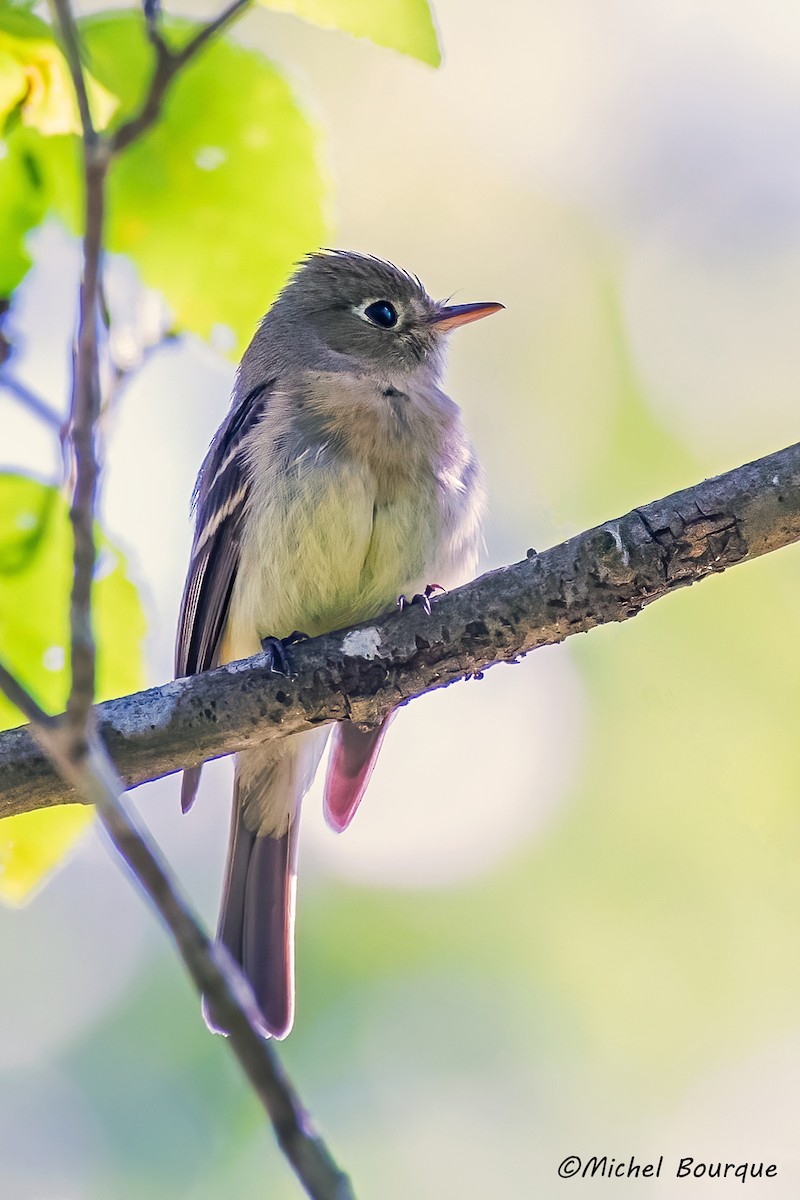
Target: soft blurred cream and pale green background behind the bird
x=568 y=917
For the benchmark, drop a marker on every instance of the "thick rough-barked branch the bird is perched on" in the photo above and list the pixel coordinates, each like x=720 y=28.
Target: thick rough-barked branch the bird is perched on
x=607 y=574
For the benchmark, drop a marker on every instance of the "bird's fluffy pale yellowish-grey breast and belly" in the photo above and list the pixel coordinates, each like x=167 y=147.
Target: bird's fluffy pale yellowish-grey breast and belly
x=347 y=512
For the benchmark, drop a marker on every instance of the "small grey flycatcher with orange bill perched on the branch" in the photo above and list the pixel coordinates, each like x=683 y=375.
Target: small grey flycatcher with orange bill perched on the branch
x=340 y=481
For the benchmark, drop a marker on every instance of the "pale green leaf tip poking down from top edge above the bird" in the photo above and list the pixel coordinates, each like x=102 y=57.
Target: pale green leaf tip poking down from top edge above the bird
x=405 y=26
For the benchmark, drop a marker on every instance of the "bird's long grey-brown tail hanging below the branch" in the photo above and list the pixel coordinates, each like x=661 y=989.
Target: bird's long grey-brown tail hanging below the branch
x=258 y=901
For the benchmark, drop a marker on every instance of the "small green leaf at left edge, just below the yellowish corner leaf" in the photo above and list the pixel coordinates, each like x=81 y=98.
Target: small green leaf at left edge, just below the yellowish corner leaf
x=34 y=171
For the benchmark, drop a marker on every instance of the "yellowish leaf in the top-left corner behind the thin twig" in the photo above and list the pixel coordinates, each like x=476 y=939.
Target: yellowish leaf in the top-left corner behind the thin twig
x=35 y=79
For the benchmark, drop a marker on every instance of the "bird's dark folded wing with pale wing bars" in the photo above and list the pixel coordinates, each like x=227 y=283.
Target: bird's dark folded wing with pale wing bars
x=221 y=500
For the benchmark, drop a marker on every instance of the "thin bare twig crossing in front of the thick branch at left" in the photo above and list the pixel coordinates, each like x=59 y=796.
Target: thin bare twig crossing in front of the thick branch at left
x=70 y=742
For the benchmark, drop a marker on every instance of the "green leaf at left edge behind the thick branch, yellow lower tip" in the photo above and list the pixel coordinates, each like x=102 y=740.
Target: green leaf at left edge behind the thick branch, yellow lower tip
x=35 y=577
